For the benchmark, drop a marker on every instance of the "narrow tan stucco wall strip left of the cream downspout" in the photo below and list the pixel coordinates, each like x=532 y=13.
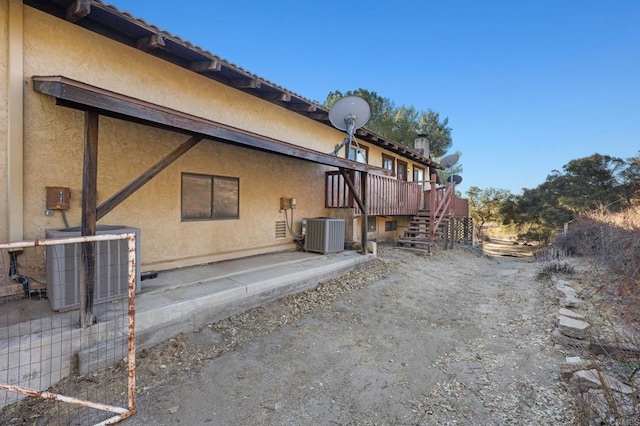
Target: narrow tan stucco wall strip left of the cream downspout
x=4 y=78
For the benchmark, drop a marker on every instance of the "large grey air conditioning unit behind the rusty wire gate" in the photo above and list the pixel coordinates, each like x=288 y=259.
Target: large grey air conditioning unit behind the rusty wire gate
x=111 y=269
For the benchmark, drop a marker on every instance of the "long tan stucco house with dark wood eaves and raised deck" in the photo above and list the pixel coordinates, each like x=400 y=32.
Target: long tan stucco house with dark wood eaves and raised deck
x=133 y=126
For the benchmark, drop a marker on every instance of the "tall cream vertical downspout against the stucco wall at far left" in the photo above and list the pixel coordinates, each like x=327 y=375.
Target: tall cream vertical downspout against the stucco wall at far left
x=15 y=121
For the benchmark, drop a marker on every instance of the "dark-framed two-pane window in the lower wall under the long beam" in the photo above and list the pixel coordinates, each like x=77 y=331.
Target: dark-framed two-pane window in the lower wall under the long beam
x=206 y=197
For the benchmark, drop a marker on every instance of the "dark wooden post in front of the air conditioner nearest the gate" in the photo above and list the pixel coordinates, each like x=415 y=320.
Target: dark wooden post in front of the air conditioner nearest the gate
x=89 y=197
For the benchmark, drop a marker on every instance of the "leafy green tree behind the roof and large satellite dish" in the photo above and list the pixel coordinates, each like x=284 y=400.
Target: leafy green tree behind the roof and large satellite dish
x=402 y=124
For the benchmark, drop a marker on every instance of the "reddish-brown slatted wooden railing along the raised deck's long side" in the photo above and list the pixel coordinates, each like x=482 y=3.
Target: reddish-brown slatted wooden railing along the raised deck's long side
x=386 y=196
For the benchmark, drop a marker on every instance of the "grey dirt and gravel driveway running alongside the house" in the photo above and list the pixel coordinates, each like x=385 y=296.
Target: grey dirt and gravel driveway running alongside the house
x=454 y=338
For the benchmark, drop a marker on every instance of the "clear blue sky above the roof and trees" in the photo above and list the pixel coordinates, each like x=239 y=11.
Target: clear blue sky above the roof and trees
x=527 y=85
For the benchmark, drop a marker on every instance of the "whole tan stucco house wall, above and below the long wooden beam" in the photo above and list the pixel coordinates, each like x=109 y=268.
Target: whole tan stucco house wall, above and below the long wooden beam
x=53 y=150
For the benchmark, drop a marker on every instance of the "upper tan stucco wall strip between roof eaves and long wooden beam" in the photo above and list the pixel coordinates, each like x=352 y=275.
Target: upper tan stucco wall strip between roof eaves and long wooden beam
x=57 y=47
